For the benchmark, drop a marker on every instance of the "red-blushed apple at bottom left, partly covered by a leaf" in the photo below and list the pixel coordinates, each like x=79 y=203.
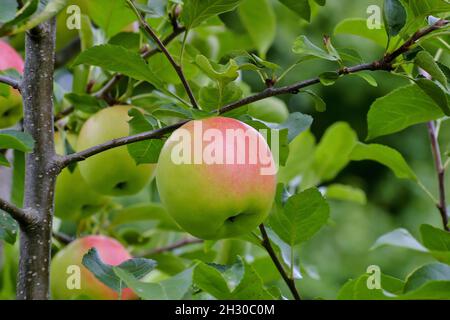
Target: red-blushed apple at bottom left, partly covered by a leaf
x=71 y=280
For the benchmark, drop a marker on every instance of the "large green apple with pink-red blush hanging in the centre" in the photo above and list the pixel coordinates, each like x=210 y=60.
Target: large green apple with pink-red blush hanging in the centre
x=210 y=198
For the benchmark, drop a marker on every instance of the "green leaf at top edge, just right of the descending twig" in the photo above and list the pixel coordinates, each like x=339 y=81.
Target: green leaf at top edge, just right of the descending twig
x=197 y=11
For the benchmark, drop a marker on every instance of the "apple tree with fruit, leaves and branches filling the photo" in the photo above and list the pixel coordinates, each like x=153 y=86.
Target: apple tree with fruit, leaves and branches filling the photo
x=98 y=207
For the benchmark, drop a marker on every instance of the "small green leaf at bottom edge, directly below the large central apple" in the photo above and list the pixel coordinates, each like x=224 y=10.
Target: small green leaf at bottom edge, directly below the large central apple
x=210 y=280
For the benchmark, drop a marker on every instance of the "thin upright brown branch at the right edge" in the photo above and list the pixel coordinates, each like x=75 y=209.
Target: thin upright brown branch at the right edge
x=441 y=204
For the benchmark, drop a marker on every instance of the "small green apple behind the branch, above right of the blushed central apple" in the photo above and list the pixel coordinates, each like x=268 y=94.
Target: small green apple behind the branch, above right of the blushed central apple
x=270 y=110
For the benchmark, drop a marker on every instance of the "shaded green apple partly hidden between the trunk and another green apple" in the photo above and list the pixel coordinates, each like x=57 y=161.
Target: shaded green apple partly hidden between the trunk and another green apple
x=74 y=199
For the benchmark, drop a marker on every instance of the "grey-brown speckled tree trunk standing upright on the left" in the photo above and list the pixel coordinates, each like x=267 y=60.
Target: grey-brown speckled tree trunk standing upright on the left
x=41 y=171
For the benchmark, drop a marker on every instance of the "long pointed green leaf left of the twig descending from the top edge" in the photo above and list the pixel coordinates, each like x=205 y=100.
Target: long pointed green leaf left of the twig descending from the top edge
x=118 y=59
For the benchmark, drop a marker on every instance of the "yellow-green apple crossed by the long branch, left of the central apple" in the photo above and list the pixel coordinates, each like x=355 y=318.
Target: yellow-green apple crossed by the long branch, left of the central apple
x=113 y=172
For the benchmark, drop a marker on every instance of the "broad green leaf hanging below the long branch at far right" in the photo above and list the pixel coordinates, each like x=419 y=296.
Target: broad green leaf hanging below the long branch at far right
x=400 y=109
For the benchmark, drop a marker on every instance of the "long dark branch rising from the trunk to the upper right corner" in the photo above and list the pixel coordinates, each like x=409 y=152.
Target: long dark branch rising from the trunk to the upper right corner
x=384 y=64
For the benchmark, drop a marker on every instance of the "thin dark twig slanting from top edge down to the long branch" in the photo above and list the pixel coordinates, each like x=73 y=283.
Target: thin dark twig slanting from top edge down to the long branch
x=178 y=69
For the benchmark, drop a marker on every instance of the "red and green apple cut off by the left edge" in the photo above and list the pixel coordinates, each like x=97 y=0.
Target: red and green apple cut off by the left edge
x=10 y=106
